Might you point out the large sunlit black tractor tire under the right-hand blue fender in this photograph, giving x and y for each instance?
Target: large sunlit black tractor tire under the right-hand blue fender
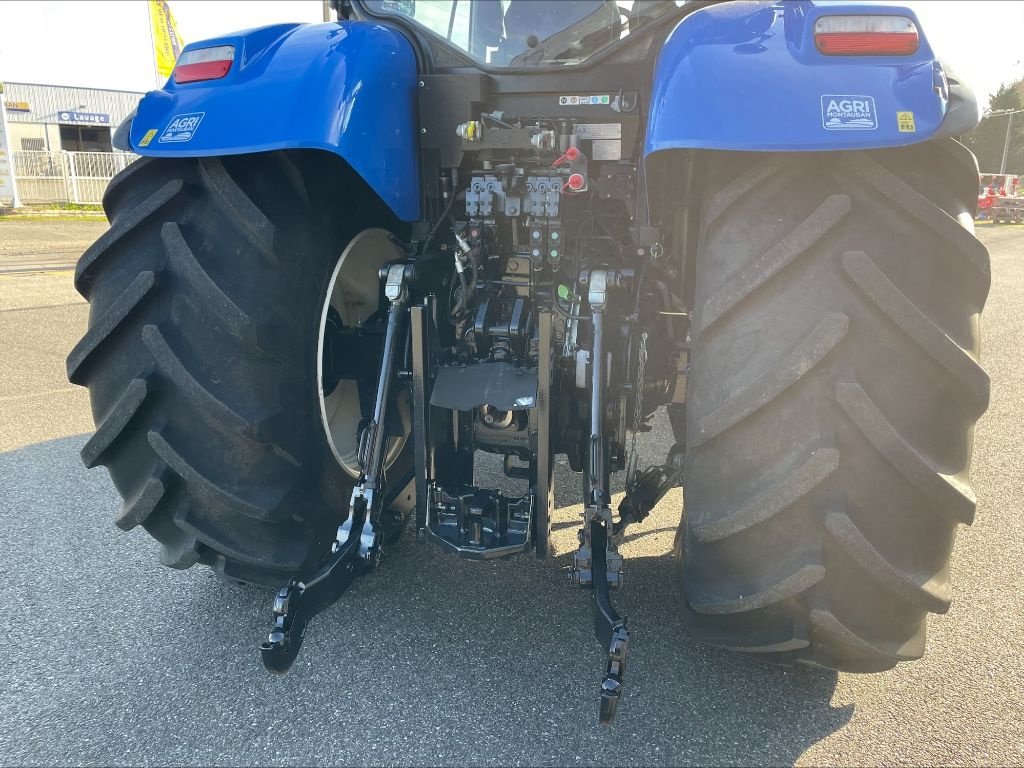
(833, 395)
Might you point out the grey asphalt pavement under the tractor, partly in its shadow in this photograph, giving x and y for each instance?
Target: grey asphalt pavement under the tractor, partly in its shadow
(114, 660)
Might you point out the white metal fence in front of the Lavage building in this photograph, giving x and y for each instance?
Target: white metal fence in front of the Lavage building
(66, 177)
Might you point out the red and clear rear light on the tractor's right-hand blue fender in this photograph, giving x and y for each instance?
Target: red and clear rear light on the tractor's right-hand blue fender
(867, 36)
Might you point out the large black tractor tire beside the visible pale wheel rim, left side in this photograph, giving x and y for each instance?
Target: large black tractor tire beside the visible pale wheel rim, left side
(201, 356)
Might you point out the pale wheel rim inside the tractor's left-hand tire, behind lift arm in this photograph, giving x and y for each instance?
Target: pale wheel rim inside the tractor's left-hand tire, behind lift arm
(354, 294)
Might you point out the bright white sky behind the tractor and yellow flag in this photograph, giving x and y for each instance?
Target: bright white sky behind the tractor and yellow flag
(106, 44)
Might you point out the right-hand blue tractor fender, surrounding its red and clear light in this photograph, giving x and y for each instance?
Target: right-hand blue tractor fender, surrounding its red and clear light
(748, 76)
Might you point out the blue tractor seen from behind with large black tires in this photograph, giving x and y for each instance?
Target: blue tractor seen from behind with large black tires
(358, 254)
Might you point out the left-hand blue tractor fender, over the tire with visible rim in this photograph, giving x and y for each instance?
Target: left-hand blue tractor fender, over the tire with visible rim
(349, 89)
